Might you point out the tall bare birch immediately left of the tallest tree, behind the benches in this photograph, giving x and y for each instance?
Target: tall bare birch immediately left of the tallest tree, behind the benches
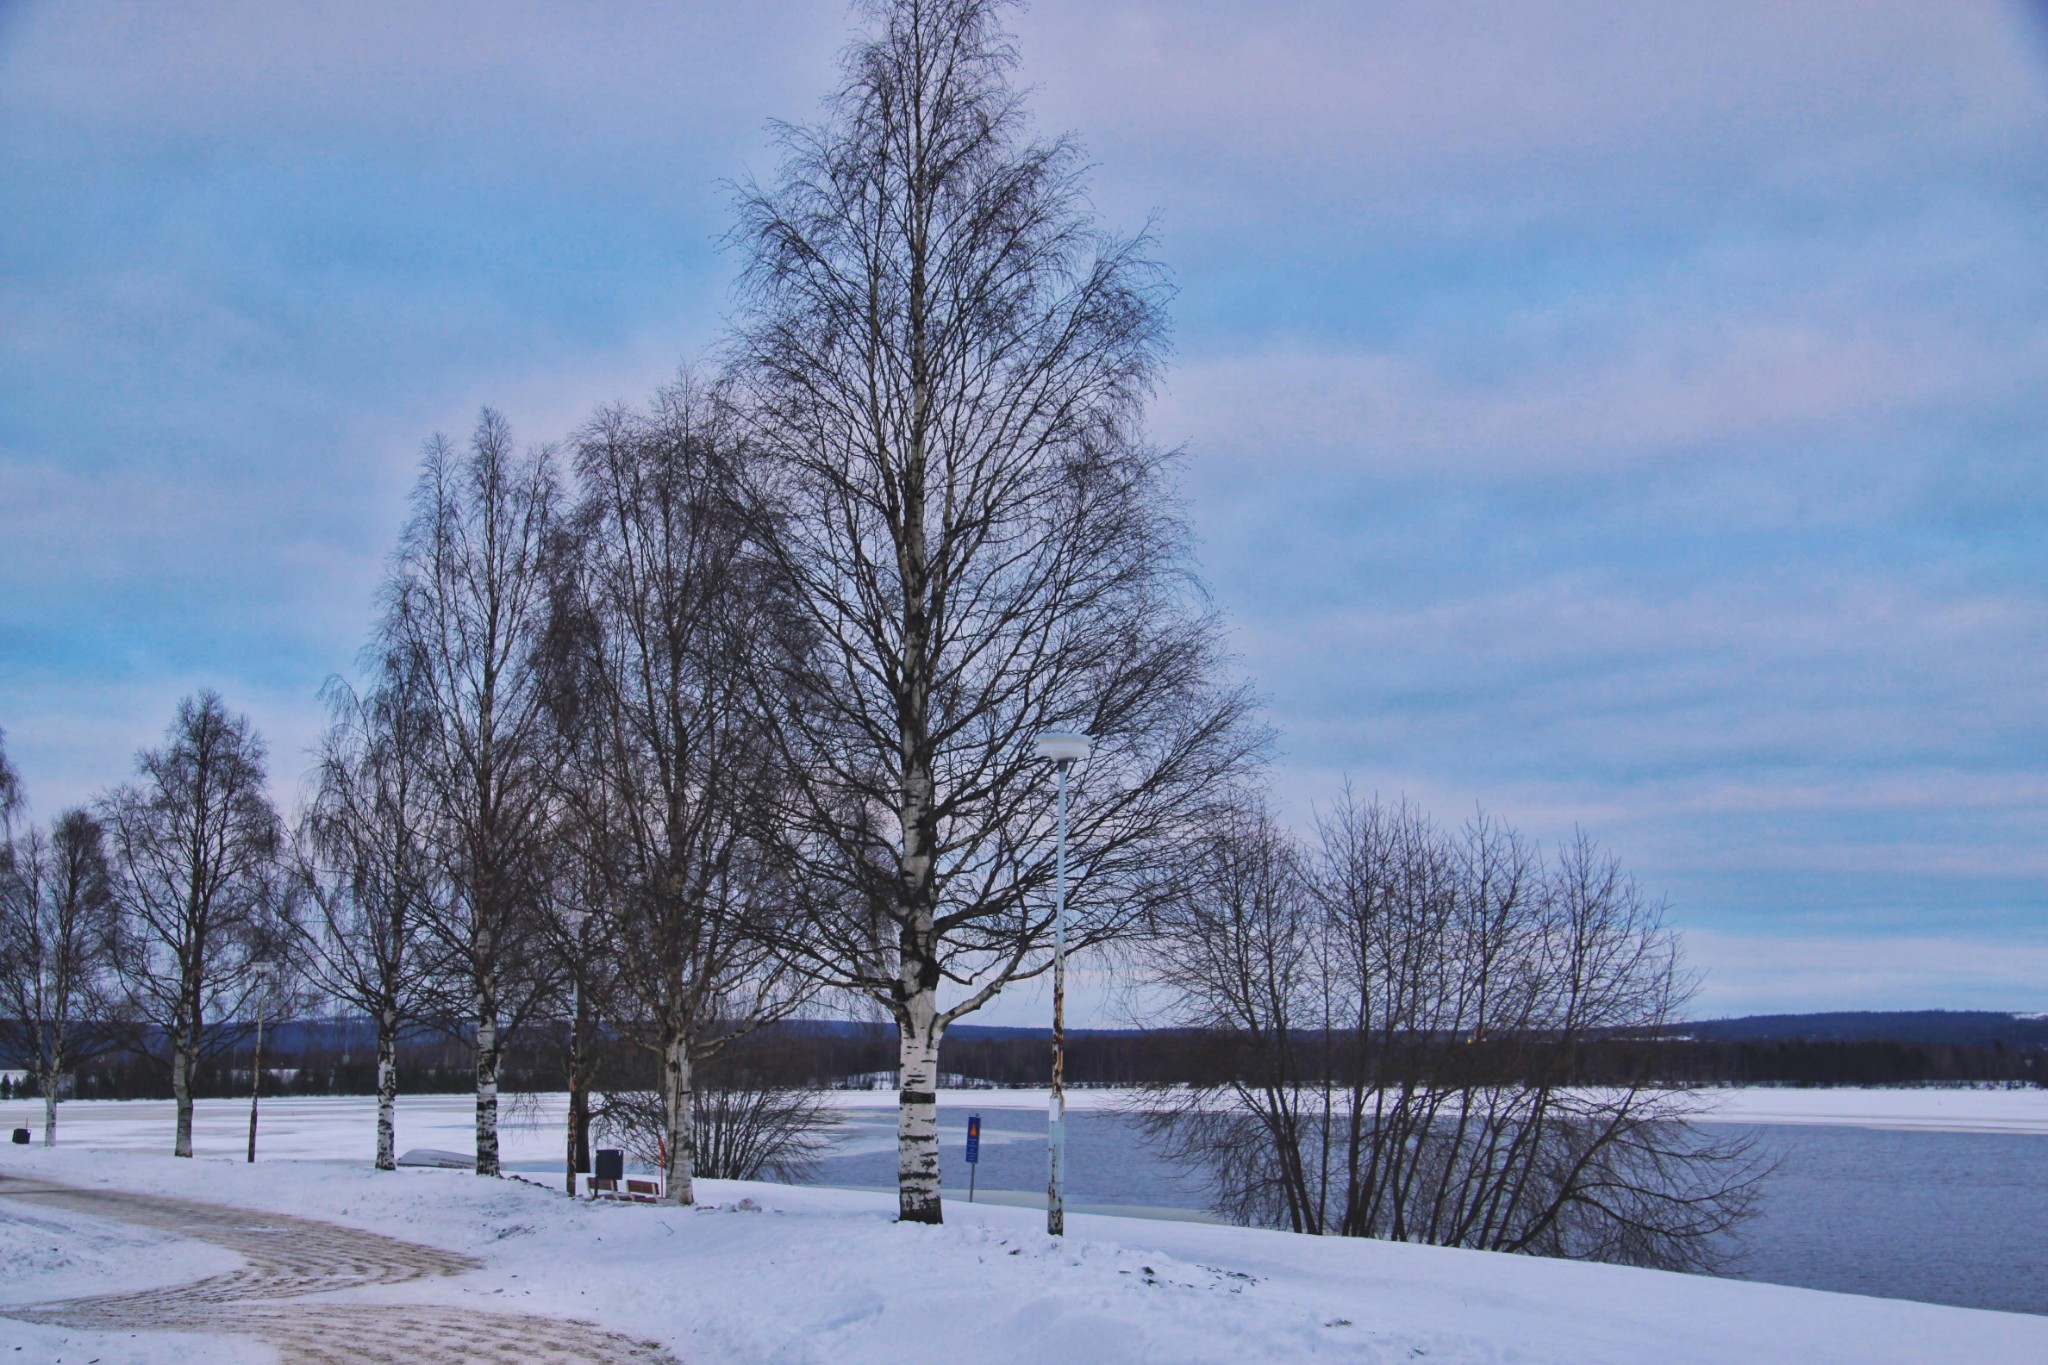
(675, 777)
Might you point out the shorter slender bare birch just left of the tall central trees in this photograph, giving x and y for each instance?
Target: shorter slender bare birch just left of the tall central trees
(366, 863)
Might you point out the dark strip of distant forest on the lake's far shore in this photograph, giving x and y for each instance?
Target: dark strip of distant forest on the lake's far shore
(1807, 1051)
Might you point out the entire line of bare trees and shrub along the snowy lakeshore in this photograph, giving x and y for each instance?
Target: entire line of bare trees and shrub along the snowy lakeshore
(722, 709)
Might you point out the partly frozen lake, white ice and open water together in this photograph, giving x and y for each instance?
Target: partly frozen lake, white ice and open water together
(1936, 1196)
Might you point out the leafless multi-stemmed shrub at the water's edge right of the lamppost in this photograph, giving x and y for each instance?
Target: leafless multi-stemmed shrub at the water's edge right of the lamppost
(1406, 1016)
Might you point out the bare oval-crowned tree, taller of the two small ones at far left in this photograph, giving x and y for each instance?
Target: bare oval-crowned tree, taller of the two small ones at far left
(196, 879)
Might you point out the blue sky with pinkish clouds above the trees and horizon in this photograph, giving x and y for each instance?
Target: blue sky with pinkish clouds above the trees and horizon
(1623, 419)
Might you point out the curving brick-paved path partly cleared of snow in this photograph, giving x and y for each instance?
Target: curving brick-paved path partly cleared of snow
(290, 1264)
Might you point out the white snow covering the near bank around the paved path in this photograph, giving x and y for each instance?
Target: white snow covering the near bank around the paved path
(828, 1276)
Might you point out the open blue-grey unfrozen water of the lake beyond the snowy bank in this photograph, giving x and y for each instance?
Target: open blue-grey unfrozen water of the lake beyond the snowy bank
(1949, 1219)
